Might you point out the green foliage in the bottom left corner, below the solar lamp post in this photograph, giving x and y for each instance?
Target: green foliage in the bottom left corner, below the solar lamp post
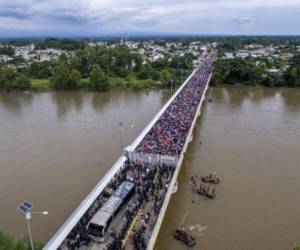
(8, 243)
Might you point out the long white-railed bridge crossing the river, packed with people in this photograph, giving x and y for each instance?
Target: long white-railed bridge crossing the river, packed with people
(152, 163)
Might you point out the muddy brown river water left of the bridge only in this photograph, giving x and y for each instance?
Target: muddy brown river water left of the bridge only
(54, 148)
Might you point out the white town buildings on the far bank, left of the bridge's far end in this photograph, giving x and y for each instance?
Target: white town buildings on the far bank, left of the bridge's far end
(152, 50)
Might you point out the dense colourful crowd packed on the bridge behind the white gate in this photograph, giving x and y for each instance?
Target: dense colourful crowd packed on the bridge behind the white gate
(169, 133)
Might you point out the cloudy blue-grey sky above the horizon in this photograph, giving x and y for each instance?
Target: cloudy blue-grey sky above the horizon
(107, 17)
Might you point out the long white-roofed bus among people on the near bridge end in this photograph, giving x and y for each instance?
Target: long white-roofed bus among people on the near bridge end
(100, 222)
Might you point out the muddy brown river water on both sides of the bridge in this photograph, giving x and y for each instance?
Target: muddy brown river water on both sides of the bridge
(54, 147)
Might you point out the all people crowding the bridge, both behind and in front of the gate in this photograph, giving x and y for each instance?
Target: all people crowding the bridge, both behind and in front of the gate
(167, 137)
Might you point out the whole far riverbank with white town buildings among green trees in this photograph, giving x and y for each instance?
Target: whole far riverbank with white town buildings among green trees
(143, 63)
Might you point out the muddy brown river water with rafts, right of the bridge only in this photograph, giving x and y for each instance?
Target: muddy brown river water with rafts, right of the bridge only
(251, 138)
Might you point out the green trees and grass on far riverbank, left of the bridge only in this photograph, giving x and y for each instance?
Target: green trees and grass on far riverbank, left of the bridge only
(96, 69)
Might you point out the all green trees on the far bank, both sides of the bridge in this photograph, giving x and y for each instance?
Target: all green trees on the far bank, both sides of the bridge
(103, 68)
